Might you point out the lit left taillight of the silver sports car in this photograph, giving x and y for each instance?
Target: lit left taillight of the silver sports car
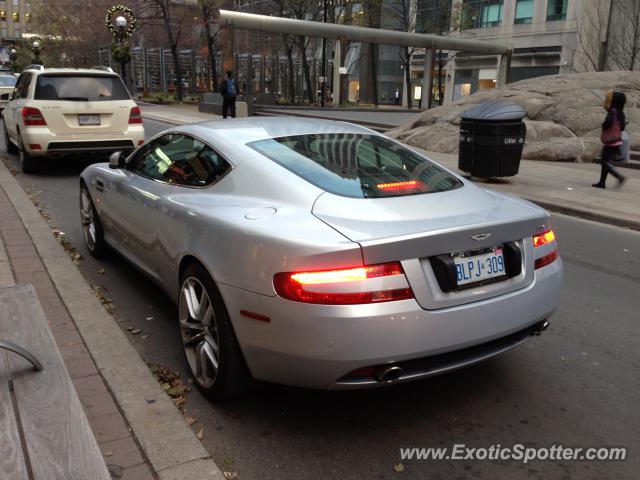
(345, 286)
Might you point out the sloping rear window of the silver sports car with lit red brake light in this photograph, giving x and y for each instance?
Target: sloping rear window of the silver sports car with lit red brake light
(354, 165)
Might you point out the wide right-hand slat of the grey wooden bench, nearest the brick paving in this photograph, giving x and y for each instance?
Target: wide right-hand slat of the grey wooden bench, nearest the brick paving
(59, 439)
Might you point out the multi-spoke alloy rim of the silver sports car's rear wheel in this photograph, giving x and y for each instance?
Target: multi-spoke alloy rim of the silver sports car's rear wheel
(199, 332)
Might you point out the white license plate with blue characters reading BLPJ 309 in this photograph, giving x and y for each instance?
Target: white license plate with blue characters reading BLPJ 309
(479, 266)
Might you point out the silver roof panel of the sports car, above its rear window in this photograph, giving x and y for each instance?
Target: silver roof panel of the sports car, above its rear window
(250, 129)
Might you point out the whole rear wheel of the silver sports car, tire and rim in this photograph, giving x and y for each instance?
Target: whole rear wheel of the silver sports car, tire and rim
(209, 339)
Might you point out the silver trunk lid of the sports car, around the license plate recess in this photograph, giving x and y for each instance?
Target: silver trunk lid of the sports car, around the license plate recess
(412, 229)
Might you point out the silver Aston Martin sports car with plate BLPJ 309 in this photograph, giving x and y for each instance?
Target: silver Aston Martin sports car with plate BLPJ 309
(322, 254)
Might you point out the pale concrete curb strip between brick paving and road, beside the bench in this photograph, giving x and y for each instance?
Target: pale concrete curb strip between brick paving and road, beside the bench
(170, 445)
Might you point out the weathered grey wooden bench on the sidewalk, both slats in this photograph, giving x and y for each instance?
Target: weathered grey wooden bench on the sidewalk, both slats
(44, 432)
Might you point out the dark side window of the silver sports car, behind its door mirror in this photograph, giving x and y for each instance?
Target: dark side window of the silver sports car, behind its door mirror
(179, 159)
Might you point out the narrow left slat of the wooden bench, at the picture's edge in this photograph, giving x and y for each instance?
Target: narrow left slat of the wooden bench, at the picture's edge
(12, 466)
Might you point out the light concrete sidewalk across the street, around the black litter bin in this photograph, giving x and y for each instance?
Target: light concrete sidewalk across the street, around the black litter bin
(559, 187)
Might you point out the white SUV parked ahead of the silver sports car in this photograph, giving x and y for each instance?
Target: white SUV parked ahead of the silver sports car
(62, 110)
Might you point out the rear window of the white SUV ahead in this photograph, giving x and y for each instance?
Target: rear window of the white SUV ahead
(92, 88)
